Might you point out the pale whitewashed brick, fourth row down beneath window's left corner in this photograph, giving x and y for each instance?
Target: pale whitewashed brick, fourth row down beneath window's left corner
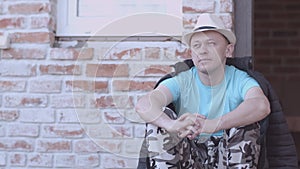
(67, 101)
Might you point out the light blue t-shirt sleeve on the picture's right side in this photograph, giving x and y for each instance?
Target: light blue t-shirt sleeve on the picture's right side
(247, 83)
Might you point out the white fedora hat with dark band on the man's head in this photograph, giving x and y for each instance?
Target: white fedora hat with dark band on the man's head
(210, 22)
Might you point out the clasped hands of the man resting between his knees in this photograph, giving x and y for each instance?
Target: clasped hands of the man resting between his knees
(191, 125)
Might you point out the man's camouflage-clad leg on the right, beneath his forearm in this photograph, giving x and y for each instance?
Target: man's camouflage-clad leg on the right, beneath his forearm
(240, 147)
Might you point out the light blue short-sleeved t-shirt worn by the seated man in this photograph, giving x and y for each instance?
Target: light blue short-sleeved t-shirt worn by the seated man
(192, 96)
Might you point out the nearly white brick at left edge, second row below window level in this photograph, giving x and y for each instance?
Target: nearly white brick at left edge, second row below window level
(24, 69)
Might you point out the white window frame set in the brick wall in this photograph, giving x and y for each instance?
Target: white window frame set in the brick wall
(141, 24)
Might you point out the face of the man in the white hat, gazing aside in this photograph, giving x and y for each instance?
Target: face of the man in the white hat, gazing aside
(209, 50)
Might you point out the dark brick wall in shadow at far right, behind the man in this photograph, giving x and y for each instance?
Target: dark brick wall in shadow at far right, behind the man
(276, 50)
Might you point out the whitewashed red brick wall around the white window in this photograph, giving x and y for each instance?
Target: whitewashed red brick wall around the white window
(72, 107)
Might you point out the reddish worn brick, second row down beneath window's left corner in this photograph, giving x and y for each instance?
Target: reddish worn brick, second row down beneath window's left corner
(54, 69)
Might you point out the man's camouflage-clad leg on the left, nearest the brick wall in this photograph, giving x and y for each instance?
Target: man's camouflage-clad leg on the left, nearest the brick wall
(167, 151)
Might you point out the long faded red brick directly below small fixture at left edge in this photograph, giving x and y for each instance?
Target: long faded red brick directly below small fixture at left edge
(23, 53)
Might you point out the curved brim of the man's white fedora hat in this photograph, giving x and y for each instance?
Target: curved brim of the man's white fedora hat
(227, 33)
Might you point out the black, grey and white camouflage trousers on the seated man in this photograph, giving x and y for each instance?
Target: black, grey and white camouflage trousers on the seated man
(237, 148)
